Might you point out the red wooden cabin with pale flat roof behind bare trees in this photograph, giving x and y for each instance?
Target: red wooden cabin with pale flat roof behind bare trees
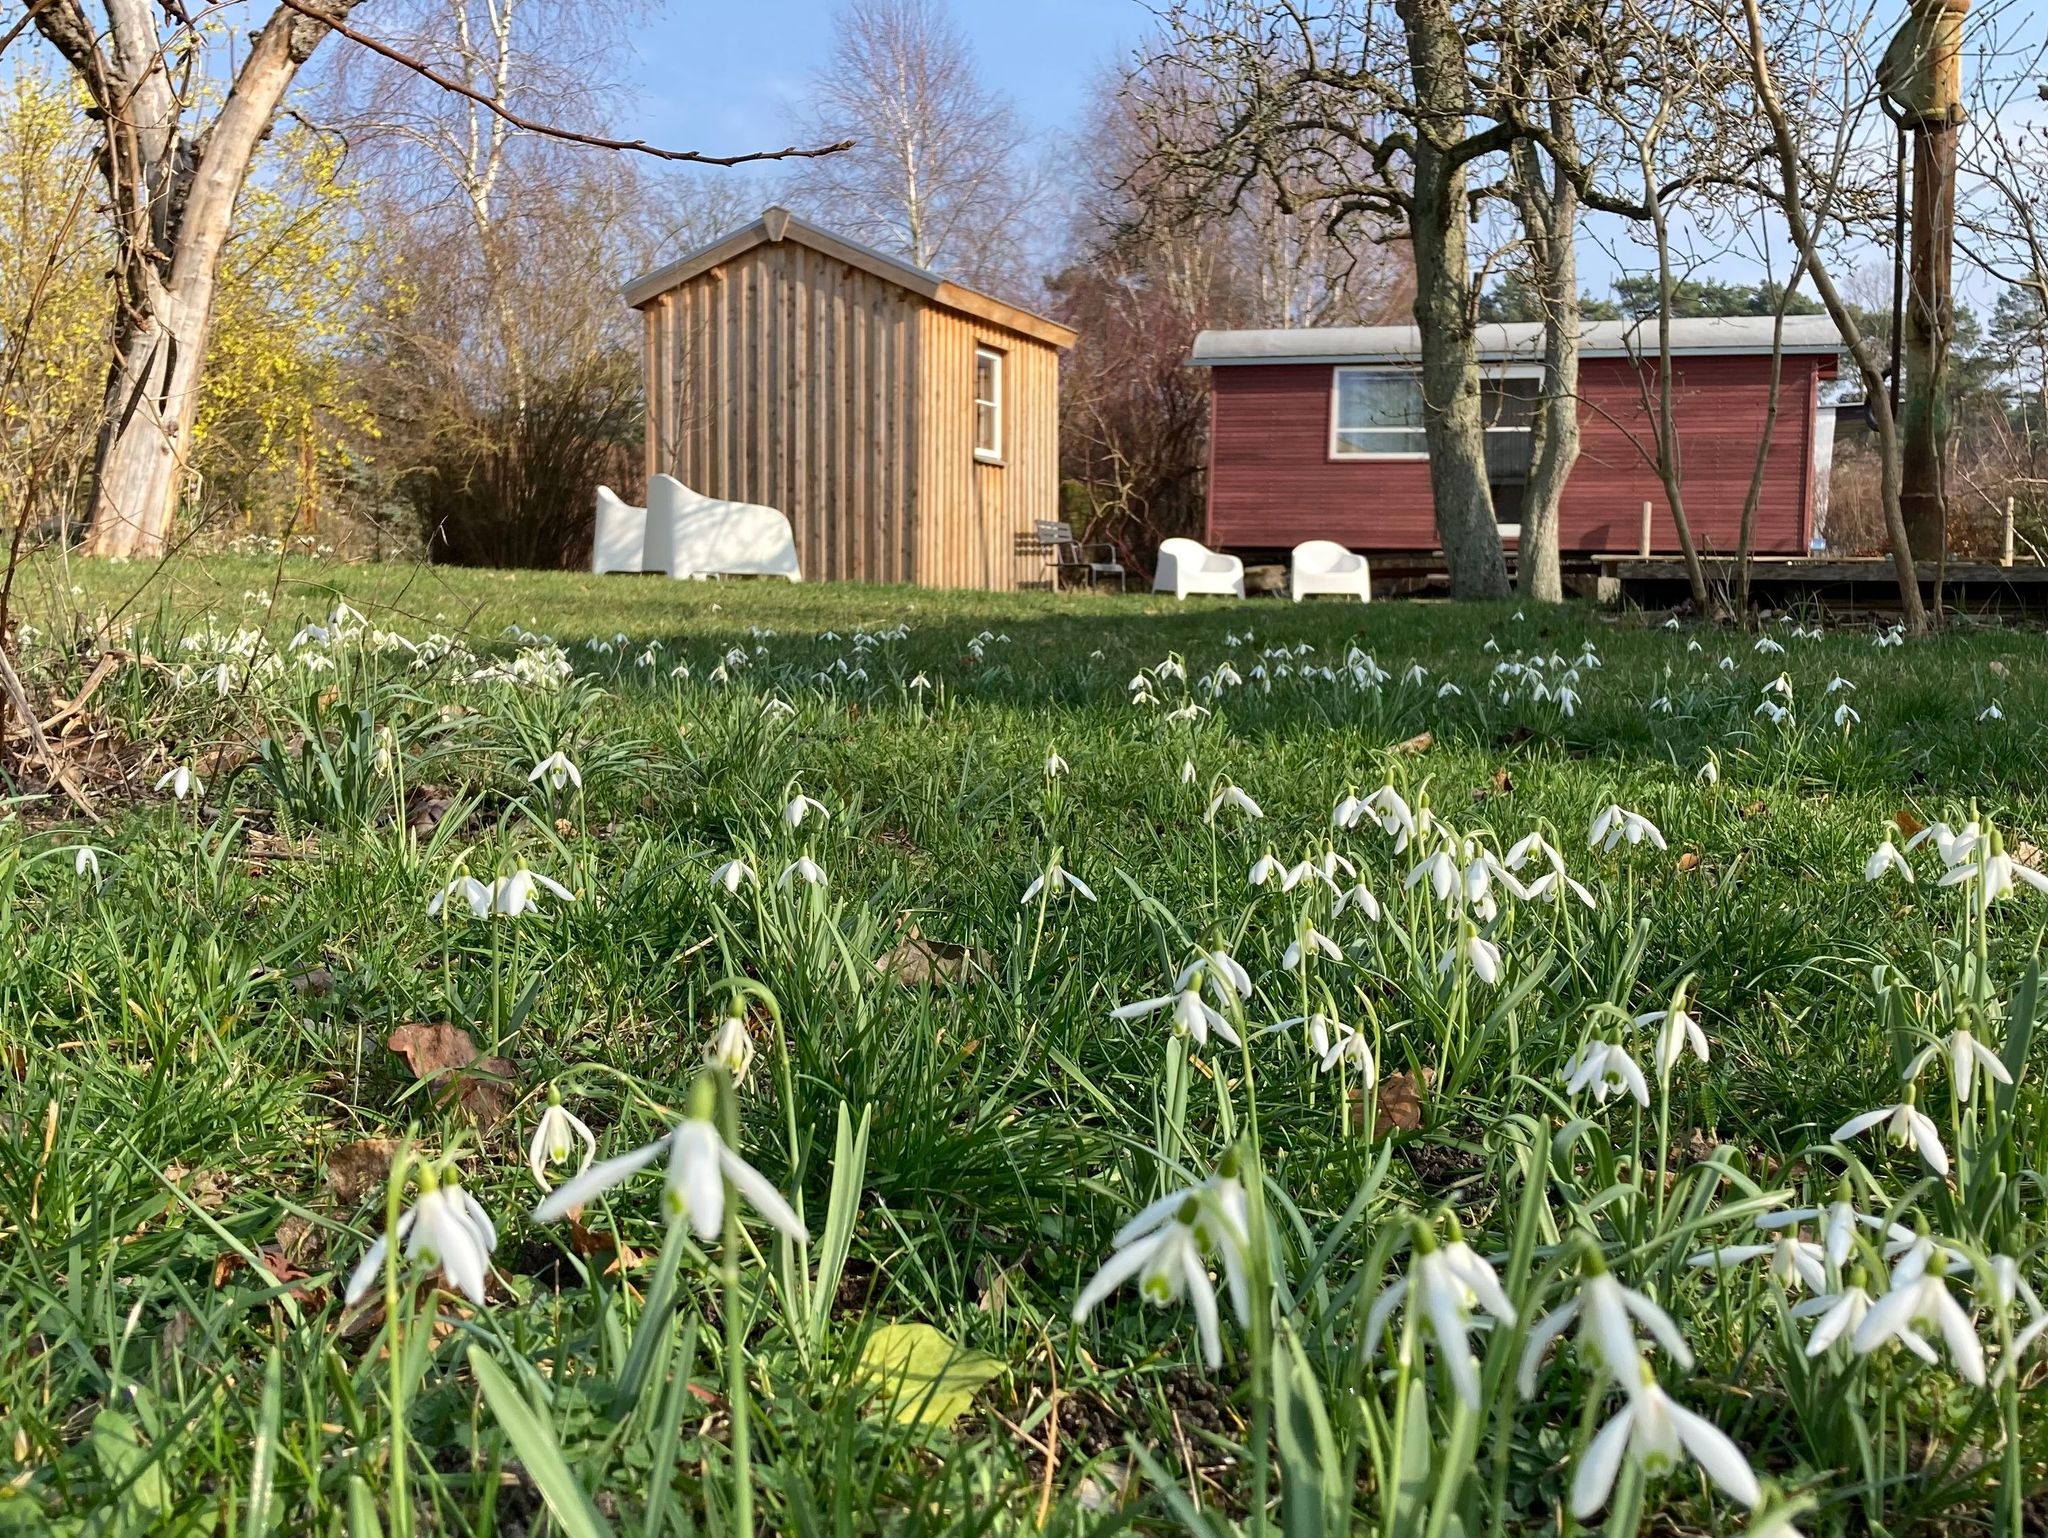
(1318, 435)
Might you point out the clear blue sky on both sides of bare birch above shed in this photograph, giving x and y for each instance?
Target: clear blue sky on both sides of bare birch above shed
(722, 77)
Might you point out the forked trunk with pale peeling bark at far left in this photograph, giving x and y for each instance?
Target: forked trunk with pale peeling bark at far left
(173, 204)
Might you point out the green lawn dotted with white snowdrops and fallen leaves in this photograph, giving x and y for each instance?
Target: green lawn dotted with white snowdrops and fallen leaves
(941, 931)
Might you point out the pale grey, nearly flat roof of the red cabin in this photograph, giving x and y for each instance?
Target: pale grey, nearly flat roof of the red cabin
(1519, 341)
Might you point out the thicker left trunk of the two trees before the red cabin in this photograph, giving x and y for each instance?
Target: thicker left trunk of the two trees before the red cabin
(1439, 222)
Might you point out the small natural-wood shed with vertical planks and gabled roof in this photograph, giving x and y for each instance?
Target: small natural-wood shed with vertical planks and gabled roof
(906, 425)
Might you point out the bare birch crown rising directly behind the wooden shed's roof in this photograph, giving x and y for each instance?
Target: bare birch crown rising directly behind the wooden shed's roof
(939, 171)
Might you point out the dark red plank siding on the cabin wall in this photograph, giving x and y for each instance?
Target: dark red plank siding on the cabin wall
(1273, 482)
